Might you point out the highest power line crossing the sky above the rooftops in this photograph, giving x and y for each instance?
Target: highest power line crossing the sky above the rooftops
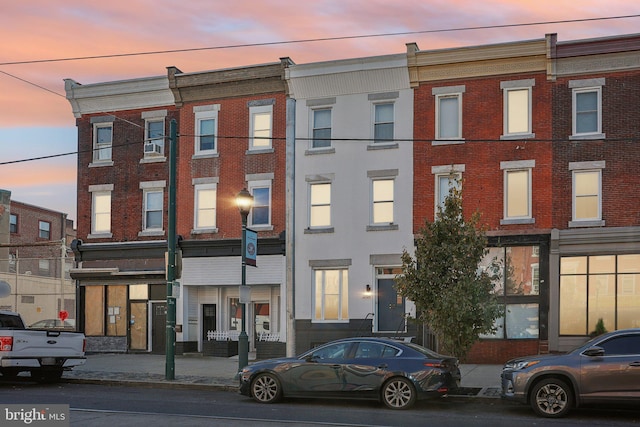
(323, 39)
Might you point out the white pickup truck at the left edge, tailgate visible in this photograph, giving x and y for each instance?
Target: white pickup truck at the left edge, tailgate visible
(43, 353)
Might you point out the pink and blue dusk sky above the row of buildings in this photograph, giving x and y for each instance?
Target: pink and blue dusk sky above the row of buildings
(36, 119)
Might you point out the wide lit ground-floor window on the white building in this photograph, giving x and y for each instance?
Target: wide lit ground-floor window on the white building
(331, 294)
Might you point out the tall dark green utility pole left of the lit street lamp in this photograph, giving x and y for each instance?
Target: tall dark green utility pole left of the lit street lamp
(170, 368)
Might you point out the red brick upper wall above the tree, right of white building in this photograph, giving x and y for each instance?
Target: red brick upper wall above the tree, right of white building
(482, 119)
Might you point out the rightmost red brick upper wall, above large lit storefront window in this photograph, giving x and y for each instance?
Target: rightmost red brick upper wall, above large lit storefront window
(620, 150)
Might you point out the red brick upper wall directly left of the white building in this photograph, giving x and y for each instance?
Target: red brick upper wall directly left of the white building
(231, 166)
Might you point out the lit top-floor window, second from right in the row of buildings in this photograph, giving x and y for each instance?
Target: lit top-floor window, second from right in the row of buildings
(517, 108)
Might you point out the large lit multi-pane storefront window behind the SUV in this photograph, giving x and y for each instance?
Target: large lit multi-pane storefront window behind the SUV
(597, 287)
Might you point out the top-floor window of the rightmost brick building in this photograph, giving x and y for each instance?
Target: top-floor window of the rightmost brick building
(587, 108)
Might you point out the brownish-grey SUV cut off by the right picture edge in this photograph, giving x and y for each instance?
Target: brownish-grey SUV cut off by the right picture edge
(603, 370)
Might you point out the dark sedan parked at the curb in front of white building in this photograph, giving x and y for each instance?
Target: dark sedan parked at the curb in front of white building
(397, 373)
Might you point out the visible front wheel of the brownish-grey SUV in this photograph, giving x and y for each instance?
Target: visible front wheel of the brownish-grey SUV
(551, 398)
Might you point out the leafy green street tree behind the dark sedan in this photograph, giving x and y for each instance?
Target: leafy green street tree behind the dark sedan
(454, 295)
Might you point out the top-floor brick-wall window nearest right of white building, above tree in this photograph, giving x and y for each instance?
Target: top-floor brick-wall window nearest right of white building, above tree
(448, 112)
